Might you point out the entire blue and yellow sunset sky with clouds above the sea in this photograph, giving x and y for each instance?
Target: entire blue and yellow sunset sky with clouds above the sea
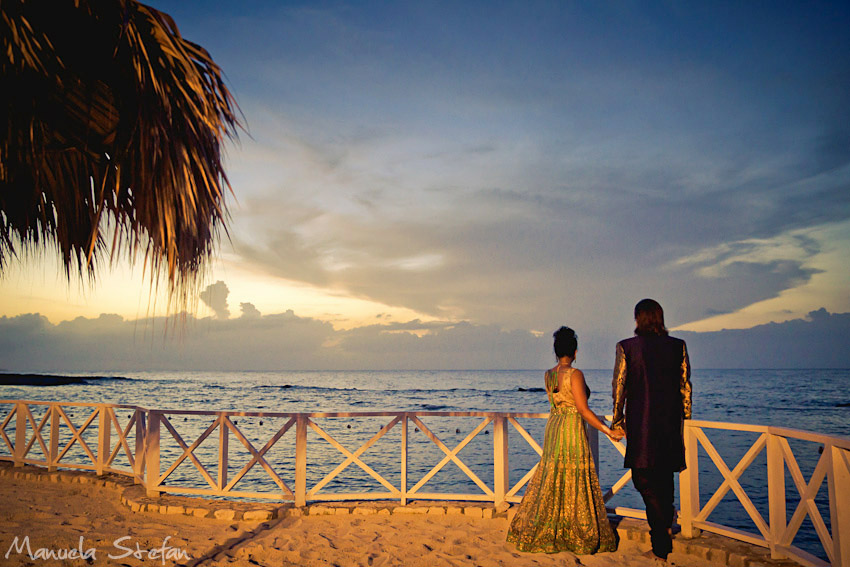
(444, 184)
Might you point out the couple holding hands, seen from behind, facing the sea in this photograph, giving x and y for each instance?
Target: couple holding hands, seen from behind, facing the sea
(562, 509)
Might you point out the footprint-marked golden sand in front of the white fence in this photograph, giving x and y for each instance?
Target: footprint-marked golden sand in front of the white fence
(55, 511)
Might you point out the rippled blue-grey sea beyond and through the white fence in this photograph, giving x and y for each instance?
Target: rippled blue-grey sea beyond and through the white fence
(812, 400)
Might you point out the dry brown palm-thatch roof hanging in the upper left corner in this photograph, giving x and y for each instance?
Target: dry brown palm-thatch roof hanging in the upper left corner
(111, 133)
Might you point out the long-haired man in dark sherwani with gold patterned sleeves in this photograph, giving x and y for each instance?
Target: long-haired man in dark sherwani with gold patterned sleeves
(652, 384)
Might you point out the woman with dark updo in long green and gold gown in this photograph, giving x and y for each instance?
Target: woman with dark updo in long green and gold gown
(562, 509)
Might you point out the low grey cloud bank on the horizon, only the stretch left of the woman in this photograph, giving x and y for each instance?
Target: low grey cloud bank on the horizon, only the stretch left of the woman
(256, 342)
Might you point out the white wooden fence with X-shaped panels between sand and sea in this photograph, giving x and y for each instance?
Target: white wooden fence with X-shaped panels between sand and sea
(52, 432)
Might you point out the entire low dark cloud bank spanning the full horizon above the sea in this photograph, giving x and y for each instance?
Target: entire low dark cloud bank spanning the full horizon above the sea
(286, 341)
